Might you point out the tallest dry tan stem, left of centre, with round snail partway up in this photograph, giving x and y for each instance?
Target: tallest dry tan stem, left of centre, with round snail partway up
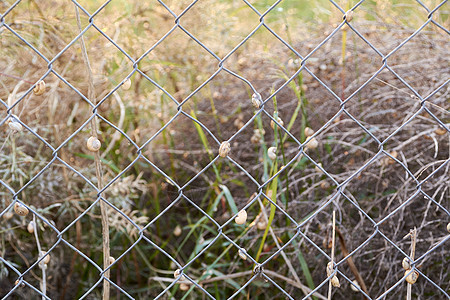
(98, 168)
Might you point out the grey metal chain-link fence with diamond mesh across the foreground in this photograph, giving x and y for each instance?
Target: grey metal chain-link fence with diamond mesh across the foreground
(258, 271)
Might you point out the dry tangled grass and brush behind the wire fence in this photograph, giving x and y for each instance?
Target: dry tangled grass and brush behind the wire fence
(223, 105)
